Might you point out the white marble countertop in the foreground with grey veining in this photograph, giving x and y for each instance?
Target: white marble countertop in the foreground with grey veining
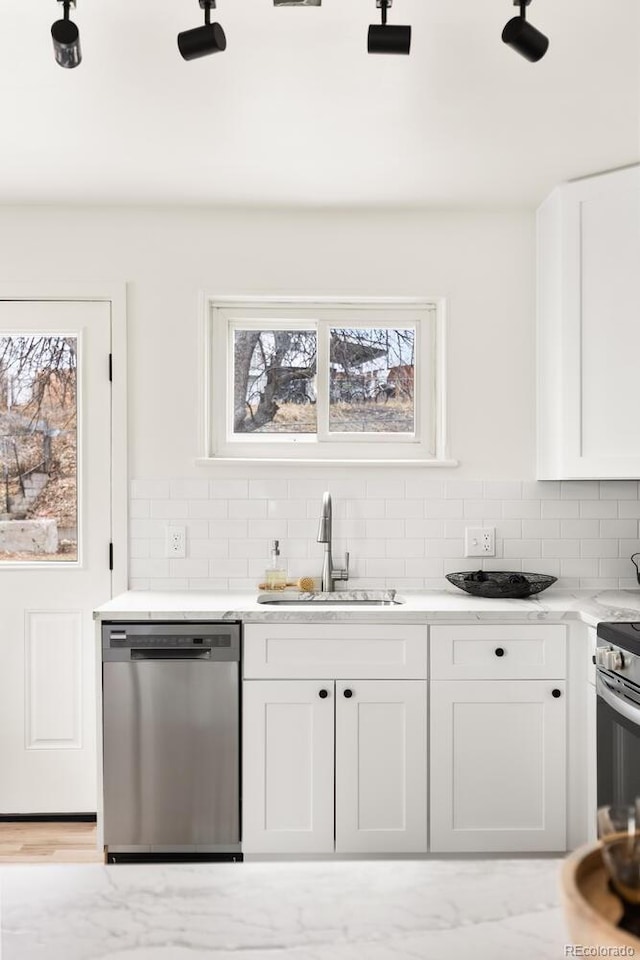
(354, 910)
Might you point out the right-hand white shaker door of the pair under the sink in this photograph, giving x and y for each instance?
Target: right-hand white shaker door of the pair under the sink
(381, 766)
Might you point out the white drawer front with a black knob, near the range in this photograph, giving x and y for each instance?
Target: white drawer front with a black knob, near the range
(516, 652)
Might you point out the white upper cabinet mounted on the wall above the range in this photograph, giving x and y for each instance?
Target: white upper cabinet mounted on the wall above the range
(588, 348)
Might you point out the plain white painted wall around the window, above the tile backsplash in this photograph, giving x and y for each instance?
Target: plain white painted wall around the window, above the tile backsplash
(483, 263)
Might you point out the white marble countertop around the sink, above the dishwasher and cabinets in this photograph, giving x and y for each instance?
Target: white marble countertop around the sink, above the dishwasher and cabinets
(419, 607)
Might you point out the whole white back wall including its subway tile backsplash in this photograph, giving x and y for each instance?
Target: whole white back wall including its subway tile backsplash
(404, 527)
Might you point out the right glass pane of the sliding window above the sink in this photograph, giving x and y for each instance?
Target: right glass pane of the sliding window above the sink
(371, 381)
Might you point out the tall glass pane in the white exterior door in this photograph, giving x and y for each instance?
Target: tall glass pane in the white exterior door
(38, 449)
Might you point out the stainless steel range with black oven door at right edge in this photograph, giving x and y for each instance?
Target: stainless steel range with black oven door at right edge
(618, 724)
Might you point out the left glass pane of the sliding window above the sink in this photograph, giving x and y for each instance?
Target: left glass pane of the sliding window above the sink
(274, 382)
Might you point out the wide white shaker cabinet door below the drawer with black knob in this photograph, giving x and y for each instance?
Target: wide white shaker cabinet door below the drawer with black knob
(498, 766)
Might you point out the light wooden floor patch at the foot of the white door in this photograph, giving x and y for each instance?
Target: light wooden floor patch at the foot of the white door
(22, 842)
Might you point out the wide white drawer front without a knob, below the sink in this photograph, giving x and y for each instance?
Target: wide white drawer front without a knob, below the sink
(318, 650)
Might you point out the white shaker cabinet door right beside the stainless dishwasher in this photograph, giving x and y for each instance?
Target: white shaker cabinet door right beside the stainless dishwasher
(287, 766)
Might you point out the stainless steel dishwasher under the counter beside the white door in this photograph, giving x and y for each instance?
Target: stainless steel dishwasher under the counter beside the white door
(171, 741)
